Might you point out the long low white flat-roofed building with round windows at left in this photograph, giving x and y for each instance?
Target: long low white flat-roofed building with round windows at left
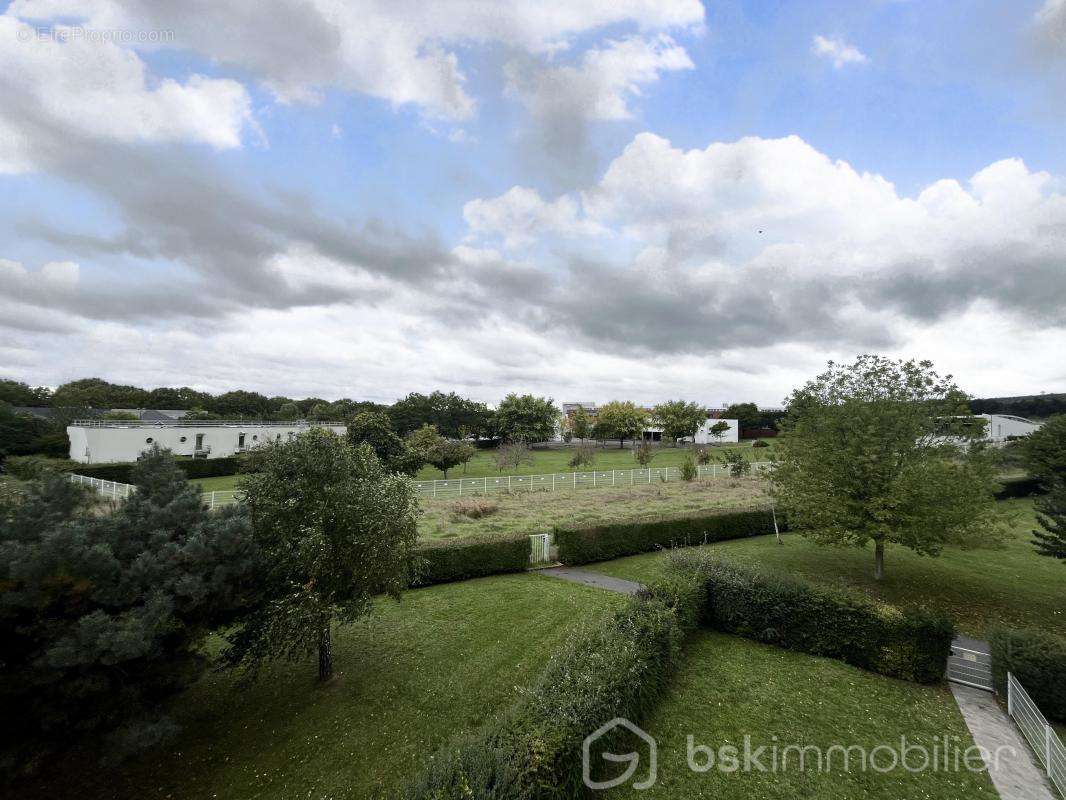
(104, 441)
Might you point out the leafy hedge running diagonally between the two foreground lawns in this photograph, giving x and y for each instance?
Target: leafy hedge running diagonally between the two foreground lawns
(617, 668)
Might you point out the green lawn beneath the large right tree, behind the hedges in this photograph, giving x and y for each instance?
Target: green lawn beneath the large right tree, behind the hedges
(1012, 586)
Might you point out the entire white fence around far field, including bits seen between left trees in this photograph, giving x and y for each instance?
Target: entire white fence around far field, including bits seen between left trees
(481, 487)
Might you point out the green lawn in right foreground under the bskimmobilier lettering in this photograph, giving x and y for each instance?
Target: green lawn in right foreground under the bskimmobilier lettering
(730, 689)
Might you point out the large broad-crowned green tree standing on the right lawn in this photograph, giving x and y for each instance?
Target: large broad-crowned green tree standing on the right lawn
(862, 461)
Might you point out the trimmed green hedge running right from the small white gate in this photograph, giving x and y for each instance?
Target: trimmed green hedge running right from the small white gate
(583, 546)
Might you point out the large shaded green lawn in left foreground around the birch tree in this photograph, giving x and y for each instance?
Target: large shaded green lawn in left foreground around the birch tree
(440, 663)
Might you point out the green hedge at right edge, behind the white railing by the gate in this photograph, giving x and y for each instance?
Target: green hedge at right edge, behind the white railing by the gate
(1039, 661)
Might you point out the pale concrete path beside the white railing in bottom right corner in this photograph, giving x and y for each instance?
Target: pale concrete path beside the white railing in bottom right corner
(1014, 774)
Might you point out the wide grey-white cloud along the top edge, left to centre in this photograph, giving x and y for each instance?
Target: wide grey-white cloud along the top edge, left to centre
(399, 53)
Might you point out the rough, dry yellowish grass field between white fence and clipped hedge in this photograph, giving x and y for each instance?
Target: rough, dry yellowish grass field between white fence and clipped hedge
(539, 511)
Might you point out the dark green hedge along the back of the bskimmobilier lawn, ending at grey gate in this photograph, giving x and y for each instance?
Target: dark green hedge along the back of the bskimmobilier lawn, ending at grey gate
(913, 645)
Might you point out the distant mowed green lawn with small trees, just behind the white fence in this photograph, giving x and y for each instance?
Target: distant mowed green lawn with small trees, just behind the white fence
(550, 461)
